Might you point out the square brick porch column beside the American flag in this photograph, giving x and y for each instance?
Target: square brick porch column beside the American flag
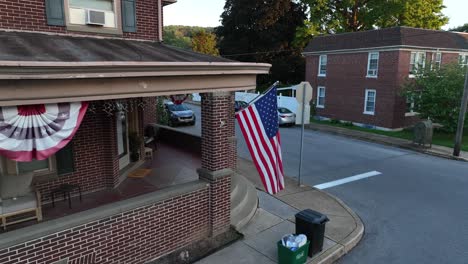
(218, 155)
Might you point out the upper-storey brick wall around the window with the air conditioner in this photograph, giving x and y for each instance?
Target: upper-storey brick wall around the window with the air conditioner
(30, 15)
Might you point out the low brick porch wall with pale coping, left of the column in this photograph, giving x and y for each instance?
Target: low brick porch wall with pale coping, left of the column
(135, 236)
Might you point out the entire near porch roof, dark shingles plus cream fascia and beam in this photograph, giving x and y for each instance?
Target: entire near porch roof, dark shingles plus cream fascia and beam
(37, 68)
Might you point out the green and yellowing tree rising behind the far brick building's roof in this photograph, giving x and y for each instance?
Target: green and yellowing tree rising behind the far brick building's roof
(336, 16)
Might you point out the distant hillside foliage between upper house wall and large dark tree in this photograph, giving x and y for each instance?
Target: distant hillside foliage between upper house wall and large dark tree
(181, 36)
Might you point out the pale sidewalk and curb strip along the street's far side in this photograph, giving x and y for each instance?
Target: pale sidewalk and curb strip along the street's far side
(379, 139)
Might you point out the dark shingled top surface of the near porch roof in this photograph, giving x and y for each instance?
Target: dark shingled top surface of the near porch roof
(25, 46)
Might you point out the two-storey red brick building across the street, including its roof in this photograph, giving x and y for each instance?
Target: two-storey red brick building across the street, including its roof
(357, 76)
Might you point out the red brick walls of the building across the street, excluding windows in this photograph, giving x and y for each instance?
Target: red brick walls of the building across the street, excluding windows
(346, 83)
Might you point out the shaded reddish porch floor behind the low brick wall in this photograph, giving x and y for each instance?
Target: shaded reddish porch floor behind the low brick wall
(170, 166)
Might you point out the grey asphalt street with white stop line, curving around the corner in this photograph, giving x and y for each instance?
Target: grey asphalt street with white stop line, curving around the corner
(415, 211)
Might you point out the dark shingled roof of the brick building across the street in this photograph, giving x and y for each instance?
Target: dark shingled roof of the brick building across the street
(396, 36)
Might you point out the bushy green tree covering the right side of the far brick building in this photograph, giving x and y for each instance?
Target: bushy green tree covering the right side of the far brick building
(436, 94)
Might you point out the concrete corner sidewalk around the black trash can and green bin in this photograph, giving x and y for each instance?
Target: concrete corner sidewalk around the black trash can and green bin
(275, 218)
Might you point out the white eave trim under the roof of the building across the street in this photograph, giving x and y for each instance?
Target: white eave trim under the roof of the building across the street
(384, 48)
